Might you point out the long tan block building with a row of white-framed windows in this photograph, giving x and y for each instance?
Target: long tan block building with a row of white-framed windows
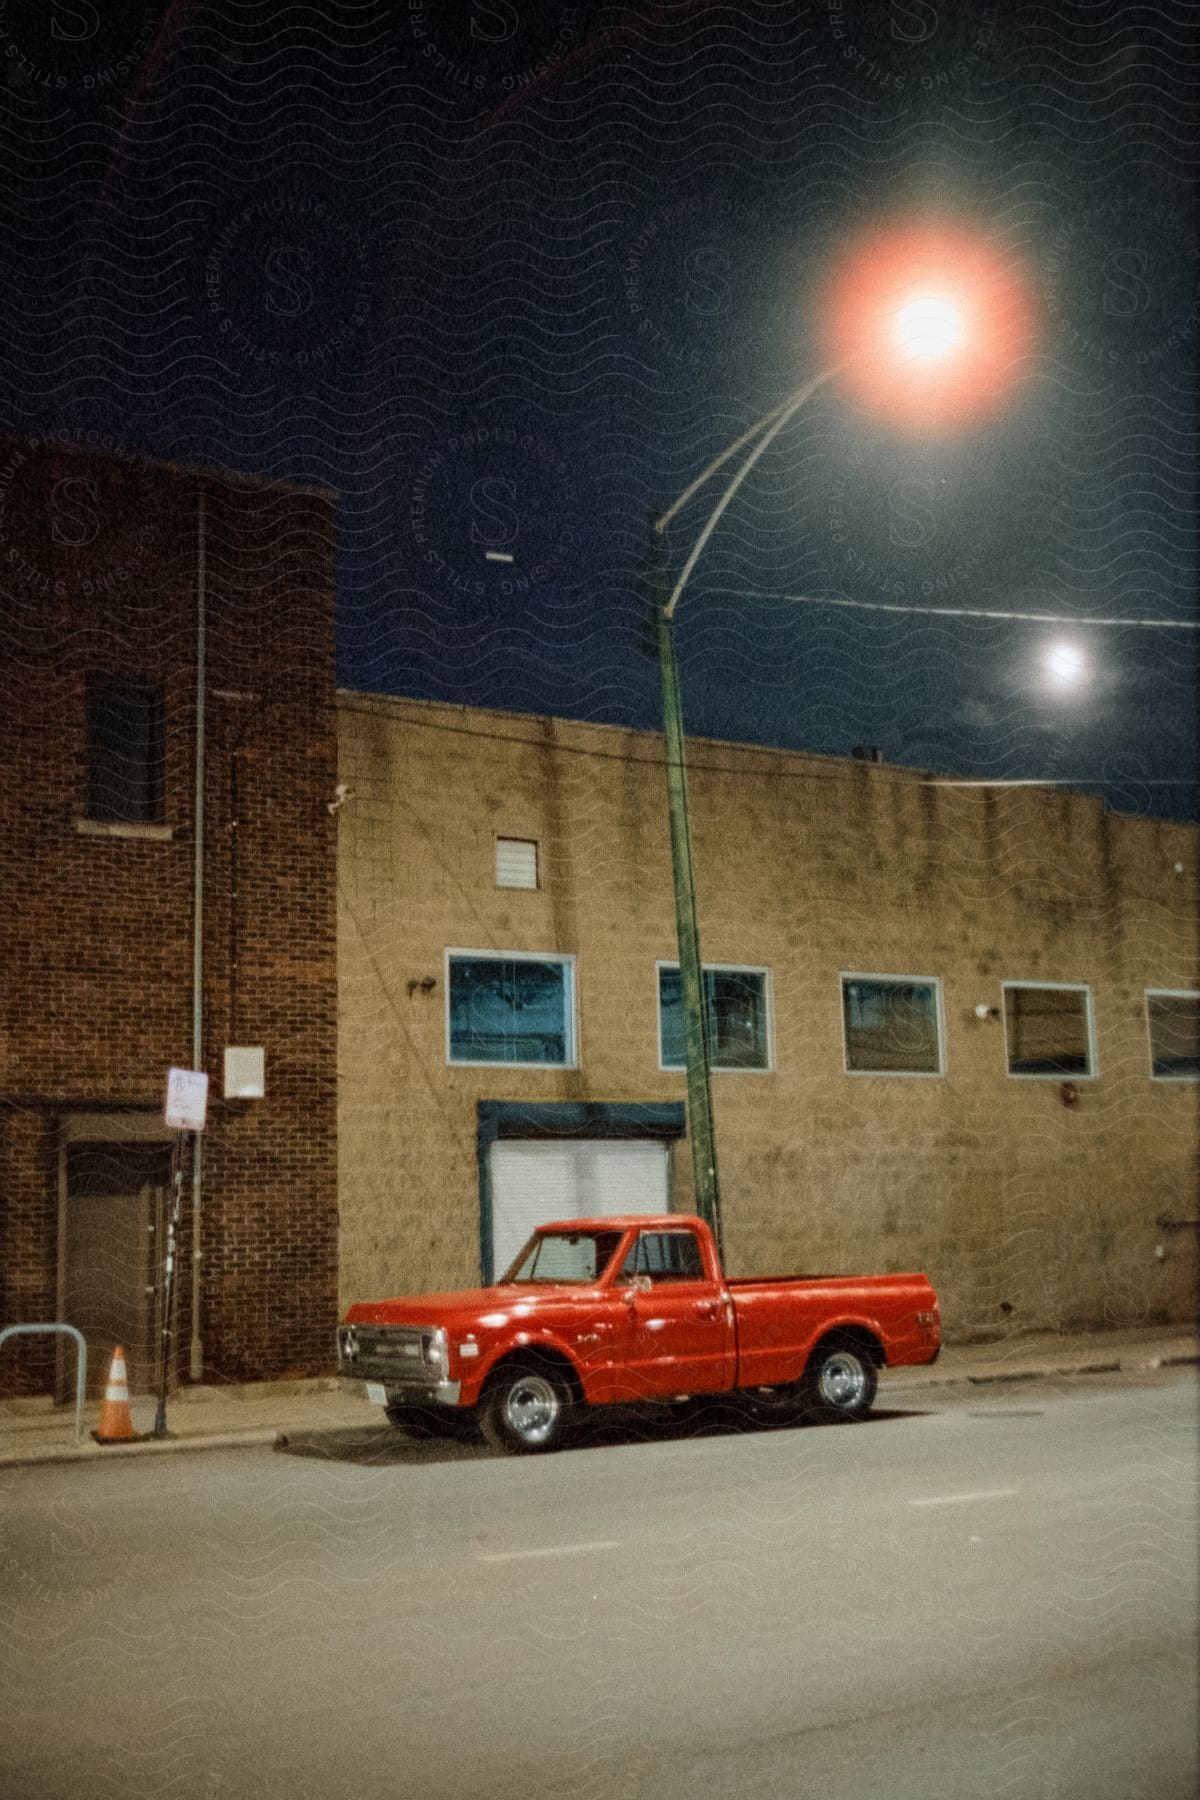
(956, 1027)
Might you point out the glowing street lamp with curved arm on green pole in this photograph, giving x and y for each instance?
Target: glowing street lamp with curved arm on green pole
(911, 307)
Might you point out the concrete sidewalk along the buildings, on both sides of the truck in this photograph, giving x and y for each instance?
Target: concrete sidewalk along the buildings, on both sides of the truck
(33, 1432)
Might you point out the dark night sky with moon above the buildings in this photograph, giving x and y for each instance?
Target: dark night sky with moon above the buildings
(508, 274)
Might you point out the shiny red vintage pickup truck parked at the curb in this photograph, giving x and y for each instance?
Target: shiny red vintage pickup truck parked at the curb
(614, 1311)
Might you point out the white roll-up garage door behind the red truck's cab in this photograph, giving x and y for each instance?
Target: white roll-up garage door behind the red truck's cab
(569, 1178)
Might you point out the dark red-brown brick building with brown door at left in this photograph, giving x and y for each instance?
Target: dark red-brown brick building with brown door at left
(156, 618)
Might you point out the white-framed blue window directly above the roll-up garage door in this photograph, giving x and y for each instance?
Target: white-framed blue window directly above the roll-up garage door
(512, 1009)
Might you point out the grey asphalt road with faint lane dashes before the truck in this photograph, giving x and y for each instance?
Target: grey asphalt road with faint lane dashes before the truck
(985, 1592)
